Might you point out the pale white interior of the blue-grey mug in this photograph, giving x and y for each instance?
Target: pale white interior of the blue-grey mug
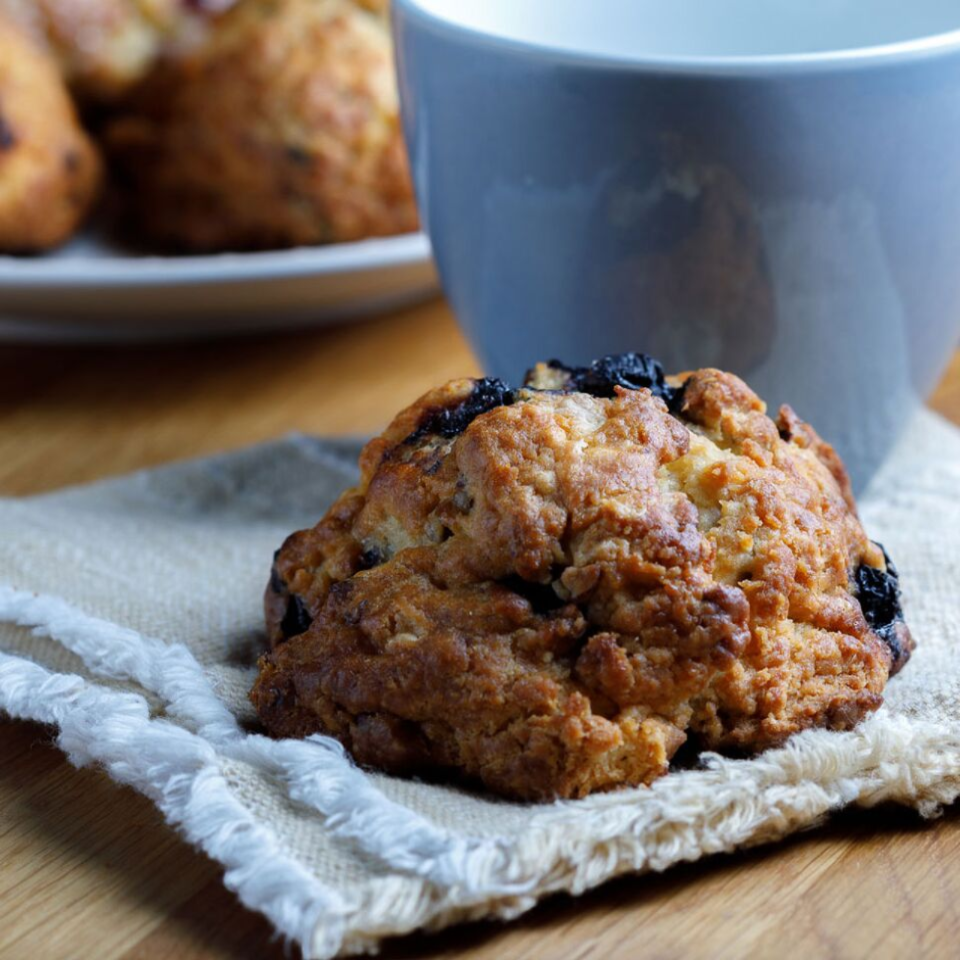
(706, 29)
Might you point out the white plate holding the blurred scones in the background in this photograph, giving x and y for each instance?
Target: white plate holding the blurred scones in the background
(93, 291)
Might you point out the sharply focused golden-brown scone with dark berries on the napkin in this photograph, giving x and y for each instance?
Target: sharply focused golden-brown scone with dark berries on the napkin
(548, 590)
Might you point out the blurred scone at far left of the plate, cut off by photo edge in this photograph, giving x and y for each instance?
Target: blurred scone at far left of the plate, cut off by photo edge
(50, 171)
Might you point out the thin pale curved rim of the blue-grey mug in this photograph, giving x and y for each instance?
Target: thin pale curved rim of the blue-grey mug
(877, 55)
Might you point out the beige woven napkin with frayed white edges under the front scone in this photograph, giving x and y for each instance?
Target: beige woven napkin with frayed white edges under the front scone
(137, 611)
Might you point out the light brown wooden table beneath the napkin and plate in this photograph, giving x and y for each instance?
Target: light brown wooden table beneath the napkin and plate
(87, 868)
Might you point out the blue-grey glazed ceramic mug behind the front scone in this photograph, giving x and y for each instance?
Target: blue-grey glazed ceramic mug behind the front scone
(766, 186)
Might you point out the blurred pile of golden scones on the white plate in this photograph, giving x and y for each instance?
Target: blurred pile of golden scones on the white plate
(273, 123)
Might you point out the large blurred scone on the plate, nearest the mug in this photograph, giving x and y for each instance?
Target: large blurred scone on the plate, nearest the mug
(281, 130)
